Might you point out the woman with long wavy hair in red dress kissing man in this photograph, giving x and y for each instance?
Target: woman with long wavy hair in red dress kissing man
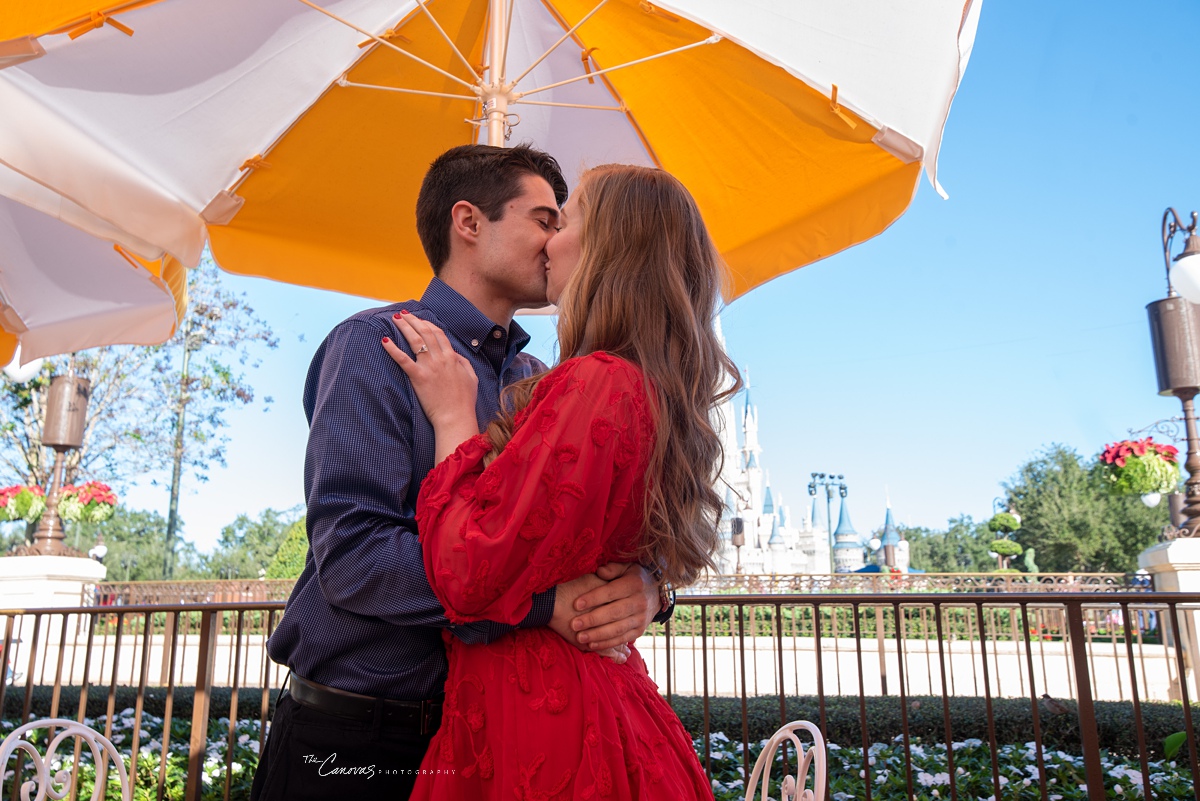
(611, 456)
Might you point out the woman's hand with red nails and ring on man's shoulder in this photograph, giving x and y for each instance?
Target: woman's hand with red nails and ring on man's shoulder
(445, 382)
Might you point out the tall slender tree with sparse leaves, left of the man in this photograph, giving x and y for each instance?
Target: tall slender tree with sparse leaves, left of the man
(197, 380)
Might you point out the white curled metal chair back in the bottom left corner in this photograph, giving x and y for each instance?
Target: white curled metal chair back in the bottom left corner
(103, 752)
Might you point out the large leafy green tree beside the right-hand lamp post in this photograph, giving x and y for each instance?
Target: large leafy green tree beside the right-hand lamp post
(1073, 521)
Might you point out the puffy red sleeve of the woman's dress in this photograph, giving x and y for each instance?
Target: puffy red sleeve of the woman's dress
(562, 498)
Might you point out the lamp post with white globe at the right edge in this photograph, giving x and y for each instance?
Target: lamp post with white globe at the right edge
(1175, 335)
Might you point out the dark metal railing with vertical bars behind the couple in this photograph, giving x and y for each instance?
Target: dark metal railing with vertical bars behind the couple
(1075, 651)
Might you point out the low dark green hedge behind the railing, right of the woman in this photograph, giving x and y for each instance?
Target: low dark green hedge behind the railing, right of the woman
(969, 719)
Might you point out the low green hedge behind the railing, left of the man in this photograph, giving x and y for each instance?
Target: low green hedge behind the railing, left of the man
(250, 702)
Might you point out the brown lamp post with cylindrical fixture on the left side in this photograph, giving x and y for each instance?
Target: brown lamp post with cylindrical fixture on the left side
(67, 414)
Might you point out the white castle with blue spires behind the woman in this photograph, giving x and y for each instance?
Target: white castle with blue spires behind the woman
(759, 533)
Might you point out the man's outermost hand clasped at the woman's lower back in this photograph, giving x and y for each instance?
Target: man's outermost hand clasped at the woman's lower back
(620, 610)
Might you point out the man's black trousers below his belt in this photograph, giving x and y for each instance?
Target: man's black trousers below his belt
(311, 755)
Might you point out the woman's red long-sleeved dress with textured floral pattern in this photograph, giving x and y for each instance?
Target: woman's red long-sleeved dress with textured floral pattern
(529, 716)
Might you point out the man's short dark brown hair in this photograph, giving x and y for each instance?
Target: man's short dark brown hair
(488, 178)
